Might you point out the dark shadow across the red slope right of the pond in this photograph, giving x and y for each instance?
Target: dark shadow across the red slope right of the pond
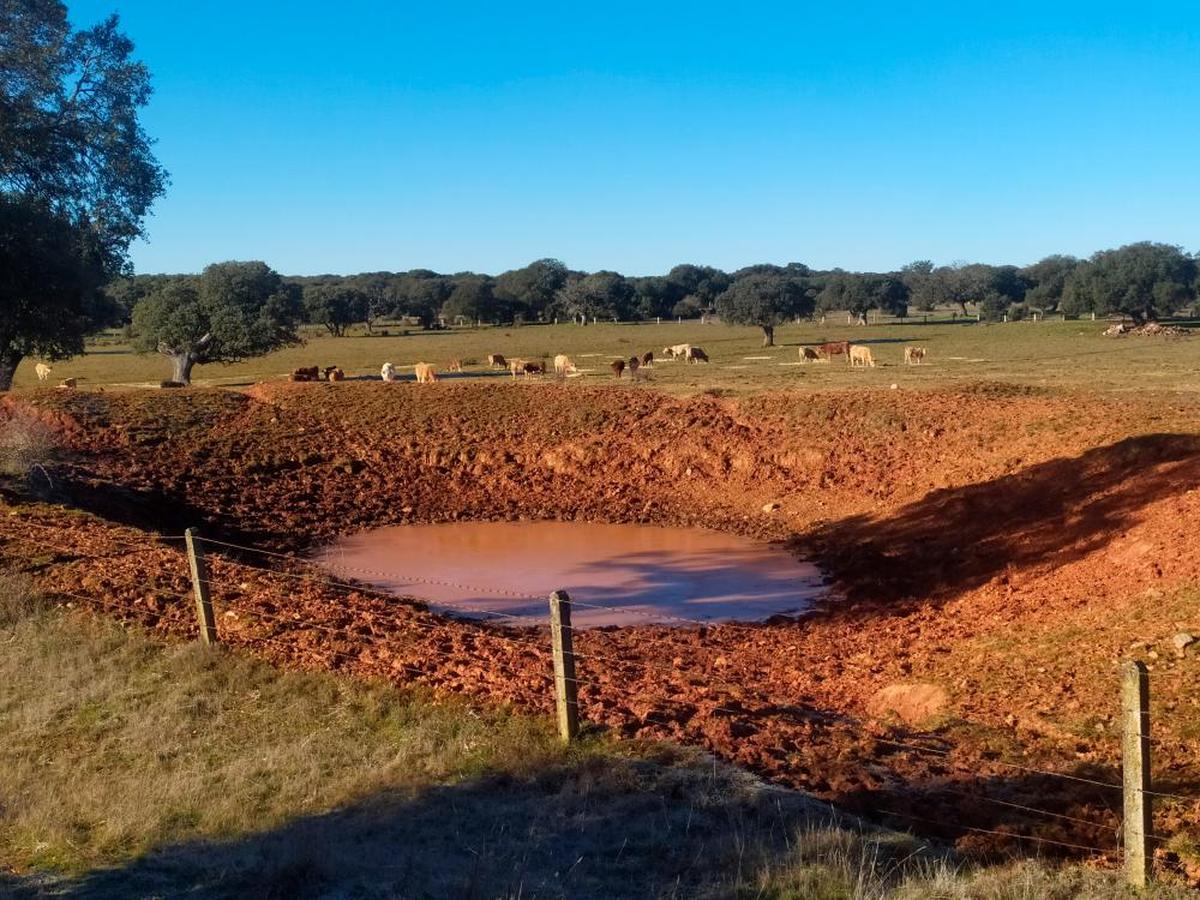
(1051, 514)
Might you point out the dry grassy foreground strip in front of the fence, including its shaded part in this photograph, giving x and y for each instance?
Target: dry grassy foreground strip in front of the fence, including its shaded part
(130, 769)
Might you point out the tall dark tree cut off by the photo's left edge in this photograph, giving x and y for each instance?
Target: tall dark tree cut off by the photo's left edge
(77, 176)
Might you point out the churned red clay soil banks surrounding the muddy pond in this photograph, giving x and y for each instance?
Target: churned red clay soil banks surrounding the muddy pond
(997, 554)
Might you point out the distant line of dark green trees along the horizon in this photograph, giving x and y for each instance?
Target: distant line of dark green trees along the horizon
(1143, 281)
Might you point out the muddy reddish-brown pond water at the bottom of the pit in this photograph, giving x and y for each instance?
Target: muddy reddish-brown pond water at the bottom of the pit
(646, 573)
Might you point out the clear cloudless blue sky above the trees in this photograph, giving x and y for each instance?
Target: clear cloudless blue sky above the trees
(350, 137)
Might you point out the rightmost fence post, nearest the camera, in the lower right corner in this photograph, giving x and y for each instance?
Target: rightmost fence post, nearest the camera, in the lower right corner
(1136, 769)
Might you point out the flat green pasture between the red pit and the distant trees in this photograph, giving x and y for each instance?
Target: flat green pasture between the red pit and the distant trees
(1071, 355)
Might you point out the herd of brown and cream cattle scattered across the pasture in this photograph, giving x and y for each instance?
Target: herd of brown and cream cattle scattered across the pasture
(637, 367)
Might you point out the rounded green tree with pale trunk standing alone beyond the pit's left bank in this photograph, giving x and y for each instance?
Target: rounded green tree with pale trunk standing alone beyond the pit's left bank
(231, 313)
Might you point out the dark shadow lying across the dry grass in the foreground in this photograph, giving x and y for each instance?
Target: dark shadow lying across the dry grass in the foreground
(595, 830)
